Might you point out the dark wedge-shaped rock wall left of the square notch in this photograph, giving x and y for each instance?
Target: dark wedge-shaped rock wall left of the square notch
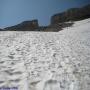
(26, 25)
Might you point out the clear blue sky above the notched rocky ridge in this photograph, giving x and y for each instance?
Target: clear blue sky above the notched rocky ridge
(13, 12)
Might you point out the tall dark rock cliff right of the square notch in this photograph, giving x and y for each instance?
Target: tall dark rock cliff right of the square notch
(72, 14)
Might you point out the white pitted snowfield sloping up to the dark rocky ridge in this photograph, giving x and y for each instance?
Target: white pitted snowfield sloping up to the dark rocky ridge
(46, 60)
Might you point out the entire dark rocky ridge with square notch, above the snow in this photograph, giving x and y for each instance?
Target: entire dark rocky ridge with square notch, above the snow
(58, 21)
